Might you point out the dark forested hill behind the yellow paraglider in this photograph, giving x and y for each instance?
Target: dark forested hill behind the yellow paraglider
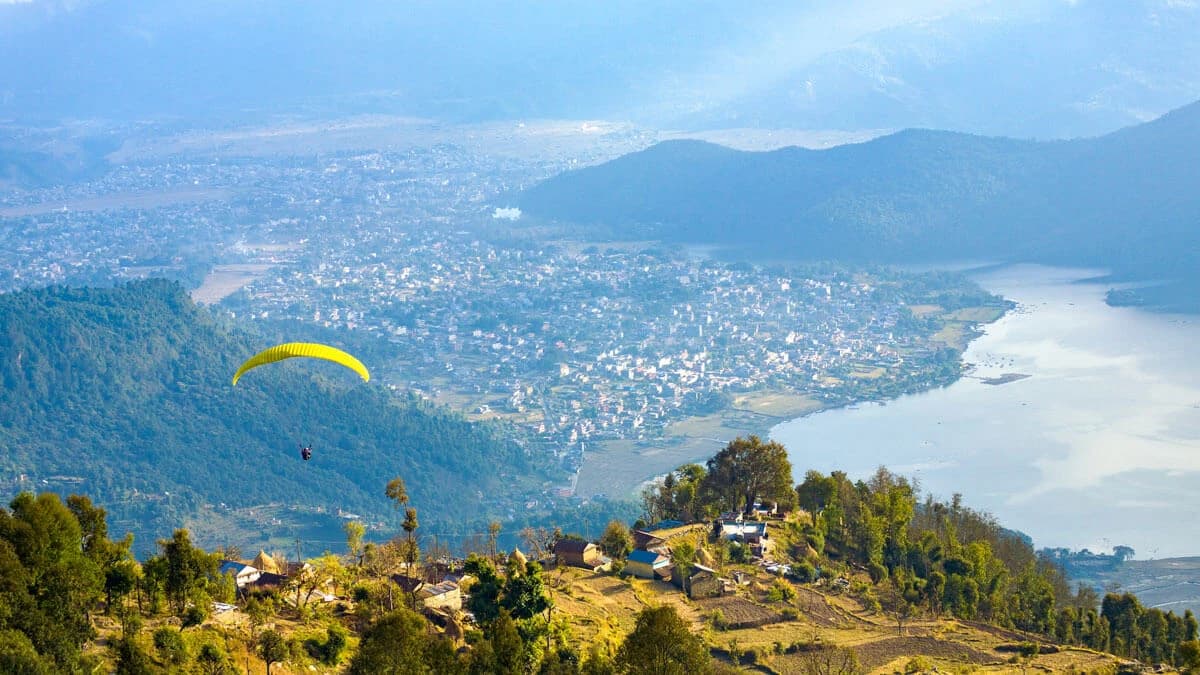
(124, 395)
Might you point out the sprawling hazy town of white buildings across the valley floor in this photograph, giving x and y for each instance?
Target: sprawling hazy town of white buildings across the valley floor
(578, 345)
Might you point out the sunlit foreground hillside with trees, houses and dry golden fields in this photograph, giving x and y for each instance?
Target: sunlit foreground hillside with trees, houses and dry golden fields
(866, 577)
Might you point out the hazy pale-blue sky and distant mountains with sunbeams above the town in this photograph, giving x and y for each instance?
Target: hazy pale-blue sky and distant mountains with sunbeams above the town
(1034, 68)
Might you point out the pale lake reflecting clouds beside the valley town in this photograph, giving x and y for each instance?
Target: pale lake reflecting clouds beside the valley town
(1100, 446)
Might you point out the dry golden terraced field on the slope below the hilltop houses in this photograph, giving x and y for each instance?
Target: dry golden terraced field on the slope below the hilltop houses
(603, 608)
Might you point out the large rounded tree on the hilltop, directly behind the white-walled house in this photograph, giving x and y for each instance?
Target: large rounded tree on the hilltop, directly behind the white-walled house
(749, 470)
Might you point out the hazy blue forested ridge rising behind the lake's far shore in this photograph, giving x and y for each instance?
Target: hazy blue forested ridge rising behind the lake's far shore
(1130, 200)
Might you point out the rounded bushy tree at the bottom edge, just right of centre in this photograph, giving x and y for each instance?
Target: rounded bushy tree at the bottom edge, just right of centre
(661, 644)
